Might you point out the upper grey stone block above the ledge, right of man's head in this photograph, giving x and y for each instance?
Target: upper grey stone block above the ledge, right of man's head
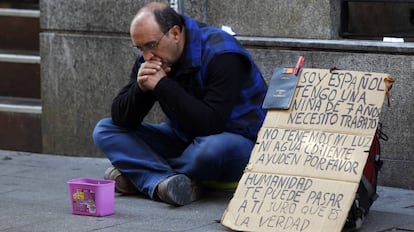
(317, 19)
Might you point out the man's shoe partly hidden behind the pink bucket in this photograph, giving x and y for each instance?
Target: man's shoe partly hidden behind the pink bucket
(122, 183)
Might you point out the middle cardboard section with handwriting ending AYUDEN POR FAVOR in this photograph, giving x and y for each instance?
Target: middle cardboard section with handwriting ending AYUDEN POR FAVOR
(314, 153)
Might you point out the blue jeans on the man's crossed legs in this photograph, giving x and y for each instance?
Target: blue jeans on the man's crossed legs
(154, 152)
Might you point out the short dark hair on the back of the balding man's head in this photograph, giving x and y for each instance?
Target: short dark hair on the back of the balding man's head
(167, 18)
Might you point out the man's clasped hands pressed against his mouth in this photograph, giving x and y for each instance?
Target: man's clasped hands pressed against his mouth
(150, 73)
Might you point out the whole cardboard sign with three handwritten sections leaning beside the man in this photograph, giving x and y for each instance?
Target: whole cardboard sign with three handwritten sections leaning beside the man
(306, 166)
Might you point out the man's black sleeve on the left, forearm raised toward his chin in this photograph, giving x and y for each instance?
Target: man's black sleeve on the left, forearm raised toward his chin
(131, 104)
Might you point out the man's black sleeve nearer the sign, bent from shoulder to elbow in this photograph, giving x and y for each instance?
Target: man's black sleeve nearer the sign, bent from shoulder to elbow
(209, 113)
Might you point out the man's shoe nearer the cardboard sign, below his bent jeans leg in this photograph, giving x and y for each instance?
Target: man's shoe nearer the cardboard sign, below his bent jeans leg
(178, 190)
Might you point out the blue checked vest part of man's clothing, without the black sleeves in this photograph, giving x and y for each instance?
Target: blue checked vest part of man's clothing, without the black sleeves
(206, 42)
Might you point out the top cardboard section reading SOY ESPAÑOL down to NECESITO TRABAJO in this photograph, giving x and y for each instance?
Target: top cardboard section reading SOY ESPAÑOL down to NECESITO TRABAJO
(341, 101)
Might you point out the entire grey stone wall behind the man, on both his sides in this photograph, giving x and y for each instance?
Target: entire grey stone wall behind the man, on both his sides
(86, 57)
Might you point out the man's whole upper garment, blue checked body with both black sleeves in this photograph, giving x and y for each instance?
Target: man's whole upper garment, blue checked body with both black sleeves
(182, 94)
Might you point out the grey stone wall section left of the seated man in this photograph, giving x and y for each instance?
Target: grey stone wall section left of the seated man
(86, 57)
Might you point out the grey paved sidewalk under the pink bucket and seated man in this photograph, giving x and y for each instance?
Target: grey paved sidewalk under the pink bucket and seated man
(34, 197)
